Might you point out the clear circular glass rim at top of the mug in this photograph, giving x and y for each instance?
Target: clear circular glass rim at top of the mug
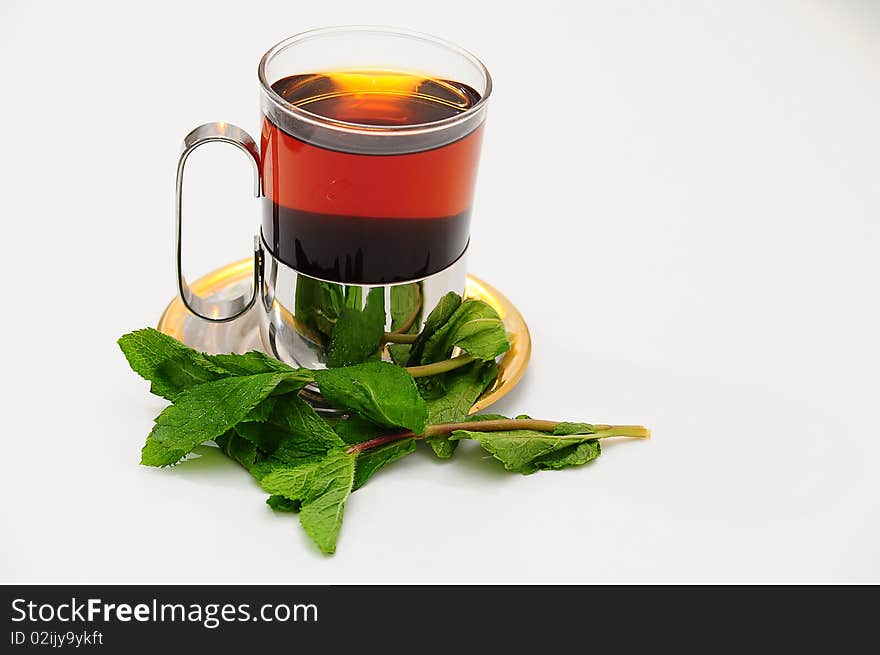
(361, 128)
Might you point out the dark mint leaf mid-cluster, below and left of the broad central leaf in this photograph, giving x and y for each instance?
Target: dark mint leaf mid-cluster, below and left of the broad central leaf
(292, 433)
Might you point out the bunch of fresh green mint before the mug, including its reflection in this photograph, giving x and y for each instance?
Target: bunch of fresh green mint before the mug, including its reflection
(249, 405)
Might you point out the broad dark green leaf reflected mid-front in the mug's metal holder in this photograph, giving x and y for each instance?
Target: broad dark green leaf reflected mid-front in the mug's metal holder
(358, 333)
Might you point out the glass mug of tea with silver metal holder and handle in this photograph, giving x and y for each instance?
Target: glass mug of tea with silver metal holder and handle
(366, 169)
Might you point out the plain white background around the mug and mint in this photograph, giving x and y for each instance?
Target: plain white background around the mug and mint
(681, 197)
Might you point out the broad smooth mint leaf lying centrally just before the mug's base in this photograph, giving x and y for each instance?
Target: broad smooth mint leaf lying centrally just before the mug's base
(379, 391)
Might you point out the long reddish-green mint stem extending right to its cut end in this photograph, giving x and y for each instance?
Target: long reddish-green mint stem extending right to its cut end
(499, 425)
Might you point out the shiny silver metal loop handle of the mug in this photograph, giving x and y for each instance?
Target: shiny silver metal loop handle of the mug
(217, 311)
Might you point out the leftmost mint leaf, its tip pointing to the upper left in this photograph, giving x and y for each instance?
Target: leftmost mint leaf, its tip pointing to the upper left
(167, 364)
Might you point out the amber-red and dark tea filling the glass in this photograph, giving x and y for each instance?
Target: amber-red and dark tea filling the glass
(347, 206)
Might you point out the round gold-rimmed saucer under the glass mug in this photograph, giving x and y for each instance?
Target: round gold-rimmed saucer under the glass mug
(243, 334)
